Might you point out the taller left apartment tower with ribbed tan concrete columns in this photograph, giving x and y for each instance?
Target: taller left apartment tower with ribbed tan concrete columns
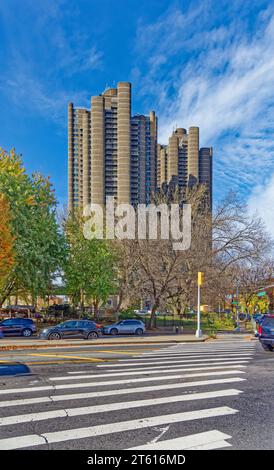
(110, 152)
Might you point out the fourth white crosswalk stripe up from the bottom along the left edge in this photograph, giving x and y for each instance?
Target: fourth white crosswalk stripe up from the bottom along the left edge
(118, 382)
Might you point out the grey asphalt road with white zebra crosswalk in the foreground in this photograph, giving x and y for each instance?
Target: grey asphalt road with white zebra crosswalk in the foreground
(207, 396)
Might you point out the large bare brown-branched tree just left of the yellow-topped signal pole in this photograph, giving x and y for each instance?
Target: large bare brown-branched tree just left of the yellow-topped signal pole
(166, 276)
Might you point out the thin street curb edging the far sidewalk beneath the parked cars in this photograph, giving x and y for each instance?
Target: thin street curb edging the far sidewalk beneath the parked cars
(50, 345)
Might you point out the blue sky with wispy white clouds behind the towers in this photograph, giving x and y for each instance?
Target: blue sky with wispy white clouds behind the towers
(208, 63)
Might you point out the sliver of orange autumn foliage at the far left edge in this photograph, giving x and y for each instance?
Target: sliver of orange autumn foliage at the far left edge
(6, 242)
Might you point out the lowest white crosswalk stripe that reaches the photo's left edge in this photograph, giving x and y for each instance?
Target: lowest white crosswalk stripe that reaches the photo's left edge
(33, 440)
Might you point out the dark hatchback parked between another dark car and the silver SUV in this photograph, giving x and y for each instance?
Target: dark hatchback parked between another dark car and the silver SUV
(85, 329)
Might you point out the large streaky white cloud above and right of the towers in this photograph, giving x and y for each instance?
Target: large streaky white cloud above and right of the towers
(221, 78)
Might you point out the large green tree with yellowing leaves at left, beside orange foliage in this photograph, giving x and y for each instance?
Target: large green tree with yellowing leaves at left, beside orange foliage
(39, 245)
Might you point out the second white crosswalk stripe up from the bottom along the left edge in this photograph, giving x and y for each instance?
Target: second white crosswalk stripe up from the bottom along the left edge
(118, 406)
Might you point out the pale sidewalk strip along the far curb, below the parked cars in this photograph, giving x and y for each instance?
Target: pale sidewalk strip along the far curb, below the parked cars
(36, 343)
